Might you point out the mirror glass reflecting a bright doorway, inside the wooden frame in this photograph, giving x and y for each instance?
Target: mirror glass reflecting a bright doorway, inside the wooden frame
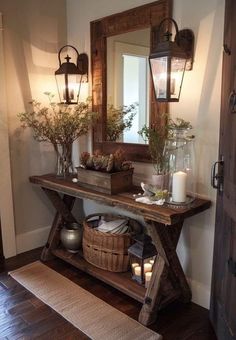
(128, 80)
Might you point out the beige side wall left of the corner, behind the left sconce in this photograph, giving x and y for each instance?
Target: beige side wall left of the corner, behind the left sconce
(33, 31)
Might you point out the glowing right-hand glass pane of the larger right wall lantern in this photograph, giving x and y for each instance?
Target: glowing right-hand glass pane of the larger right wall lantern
(176, 77)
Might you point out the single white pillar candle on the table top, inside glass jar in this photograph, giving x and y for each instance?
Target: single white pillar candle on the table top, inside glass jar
(179, 186)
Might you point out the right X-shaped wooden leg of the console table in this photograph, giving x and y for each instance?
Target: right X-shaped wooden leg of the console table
(167, 272)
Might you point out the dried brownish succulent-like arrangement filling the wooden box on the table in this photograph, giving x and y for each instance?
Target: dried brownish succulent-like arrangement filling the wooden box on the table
(107, 163)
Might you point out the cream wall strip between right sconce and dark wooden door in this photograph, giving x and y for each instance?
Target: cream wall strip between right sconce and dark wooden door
(200, 103)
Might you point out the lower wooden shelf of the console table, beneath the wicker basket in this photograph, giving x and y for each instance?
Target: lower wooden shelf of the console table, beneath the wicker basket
(120, 281)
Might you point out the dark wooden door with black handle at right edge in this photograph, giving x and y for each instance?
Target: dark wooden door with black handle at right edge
(223, 299)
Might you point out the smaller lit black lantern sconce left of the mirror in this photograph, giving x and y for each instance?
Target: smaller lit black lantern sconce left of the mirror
(70, 75)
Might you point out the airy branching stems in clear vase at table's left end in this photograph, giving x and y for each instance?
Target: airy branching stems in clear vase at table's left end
(61, 125)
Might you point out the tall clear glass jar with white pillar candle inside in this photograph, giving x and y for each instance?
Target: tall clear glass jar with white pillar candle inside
(181, 167)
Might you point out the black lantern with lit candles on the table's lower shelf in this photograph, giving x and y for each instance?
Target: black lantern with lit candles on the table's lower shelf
(142, 256)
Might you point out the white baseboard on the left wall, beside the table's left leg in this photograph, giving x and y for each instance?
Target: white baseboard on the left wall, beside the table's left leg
(31, 239)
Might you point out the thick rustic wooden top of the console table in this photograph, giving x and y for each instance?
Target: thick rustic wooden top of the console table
(166, 214)
